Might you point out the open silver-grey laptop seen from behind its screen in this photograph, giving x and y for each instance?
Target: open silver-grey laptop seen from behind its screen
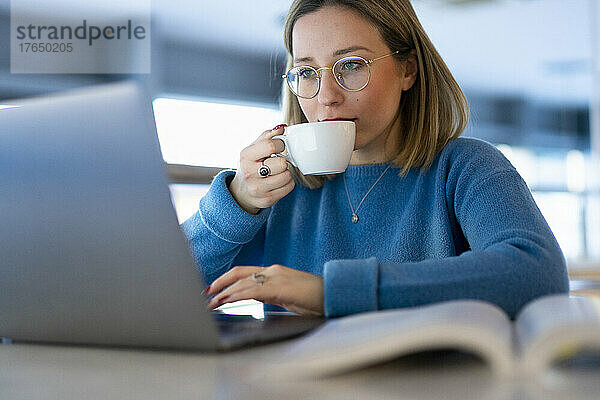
(90, 248)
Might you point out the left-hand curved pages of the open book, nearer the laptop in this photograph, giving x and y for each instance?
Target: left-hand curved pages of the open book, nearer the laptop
(350, 342)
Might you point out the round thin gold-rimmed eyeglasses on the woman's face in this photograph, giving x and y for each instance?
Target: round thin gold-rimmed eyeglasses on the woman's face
(351, 73)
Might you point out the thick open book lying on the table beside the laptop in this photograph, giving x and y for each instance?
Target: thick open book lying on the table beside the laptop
(547, 329)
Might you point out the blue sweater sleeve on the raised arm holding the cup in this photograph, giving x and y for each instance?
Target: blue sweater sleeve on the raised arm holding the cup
(221, 233)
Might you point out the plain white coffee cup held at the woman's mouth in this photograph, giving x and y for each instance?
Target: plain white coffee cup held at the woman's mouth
(319, 148)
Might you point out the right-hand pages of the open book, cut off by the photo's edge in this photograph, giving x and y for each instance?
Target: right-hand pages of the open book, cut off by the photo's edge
(555, 328)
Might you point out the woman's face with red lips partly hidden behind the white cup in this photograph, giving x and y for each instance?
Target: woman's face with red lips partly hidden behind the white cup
(323, 37)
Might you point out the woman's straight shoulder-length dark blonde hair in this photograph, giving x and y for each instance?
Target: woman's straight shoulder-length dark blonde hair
(433, 112)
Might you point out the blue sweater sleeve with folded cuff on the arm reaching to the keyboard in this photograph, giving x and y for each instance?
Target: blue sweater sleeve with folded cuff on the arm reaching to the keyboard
(513, 257)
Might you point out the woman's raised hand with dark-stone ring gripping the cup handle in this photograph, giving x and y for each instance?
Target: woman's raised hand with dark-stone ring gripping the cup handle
(253, 191)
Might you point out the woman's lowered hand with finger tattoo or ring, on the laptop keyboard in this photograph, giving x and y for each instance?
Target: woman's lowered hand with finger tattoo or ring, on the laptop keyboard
(297, 291)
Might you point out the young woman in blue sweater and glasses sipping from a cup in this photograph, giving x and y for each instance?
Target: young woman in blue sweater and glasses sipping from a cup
(419, 216)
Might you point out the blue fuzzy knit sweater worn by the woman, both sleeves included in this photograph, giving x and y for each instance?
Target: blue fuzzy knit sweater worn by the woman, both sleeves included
(467, 227)
